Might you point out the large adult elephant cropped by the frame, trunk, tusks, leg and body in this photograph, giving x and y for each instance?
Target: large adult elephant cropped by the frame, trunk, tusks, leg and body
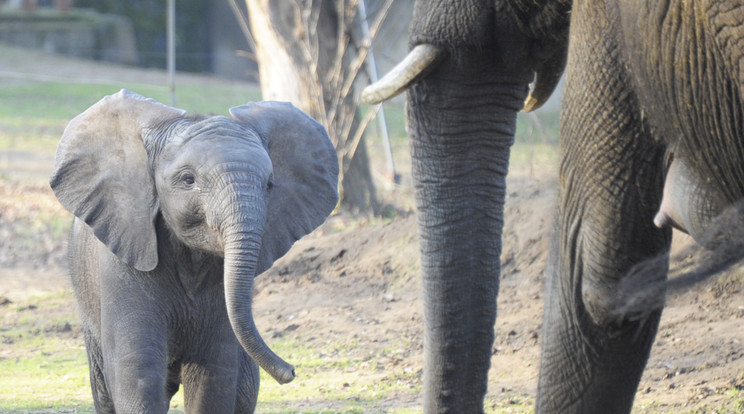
(649, 85)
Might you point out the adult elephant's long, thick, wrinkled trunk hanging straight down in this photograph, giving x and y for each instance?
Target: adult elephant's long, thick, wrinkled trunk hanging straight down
(462, 123)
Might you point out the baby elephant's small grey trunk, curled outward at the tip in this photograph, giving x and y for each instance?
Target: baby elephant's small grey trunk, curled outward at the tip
(242, 237)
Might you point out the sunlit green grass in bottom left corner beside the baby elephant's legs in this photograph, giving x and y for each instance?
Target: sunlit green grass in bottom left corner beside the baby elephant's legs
(43, 361)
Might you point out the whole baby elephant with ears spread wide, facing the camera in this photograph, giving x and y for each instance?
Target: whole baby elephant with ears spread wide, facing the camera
(174, 217)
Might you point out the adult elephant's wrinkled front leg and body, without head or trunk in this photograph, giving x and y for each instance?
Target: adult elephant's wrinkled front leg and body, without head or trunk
(662, 134)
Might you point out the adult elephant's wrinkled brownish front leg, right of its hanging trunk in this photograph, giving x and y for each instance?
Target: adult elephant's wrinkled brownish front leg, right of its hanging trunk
(611, 183)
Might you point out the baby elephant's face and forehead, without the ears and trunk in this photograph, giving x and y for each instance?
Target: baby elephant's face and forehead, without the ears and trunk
(209, 173)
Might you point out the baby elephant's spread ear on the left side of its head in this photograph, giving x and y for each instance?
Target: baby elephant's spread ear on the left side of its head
(101, 174)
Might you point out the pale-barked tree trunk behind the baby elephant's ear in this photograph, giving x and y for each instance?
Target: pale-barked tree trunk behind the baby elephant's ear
(302, 58)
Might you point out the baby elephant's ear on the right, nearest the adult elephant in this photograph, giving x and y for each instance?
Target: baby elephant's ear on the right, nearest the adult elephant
(304, 187)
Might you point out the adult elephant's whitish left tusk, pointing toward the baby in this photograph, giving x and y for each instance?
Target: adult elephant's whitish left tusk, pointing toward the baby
(421, 60)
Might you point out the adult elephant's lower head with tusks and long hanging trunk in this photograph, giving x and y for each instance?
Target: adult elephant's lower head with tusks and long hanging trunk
(474, 61)
